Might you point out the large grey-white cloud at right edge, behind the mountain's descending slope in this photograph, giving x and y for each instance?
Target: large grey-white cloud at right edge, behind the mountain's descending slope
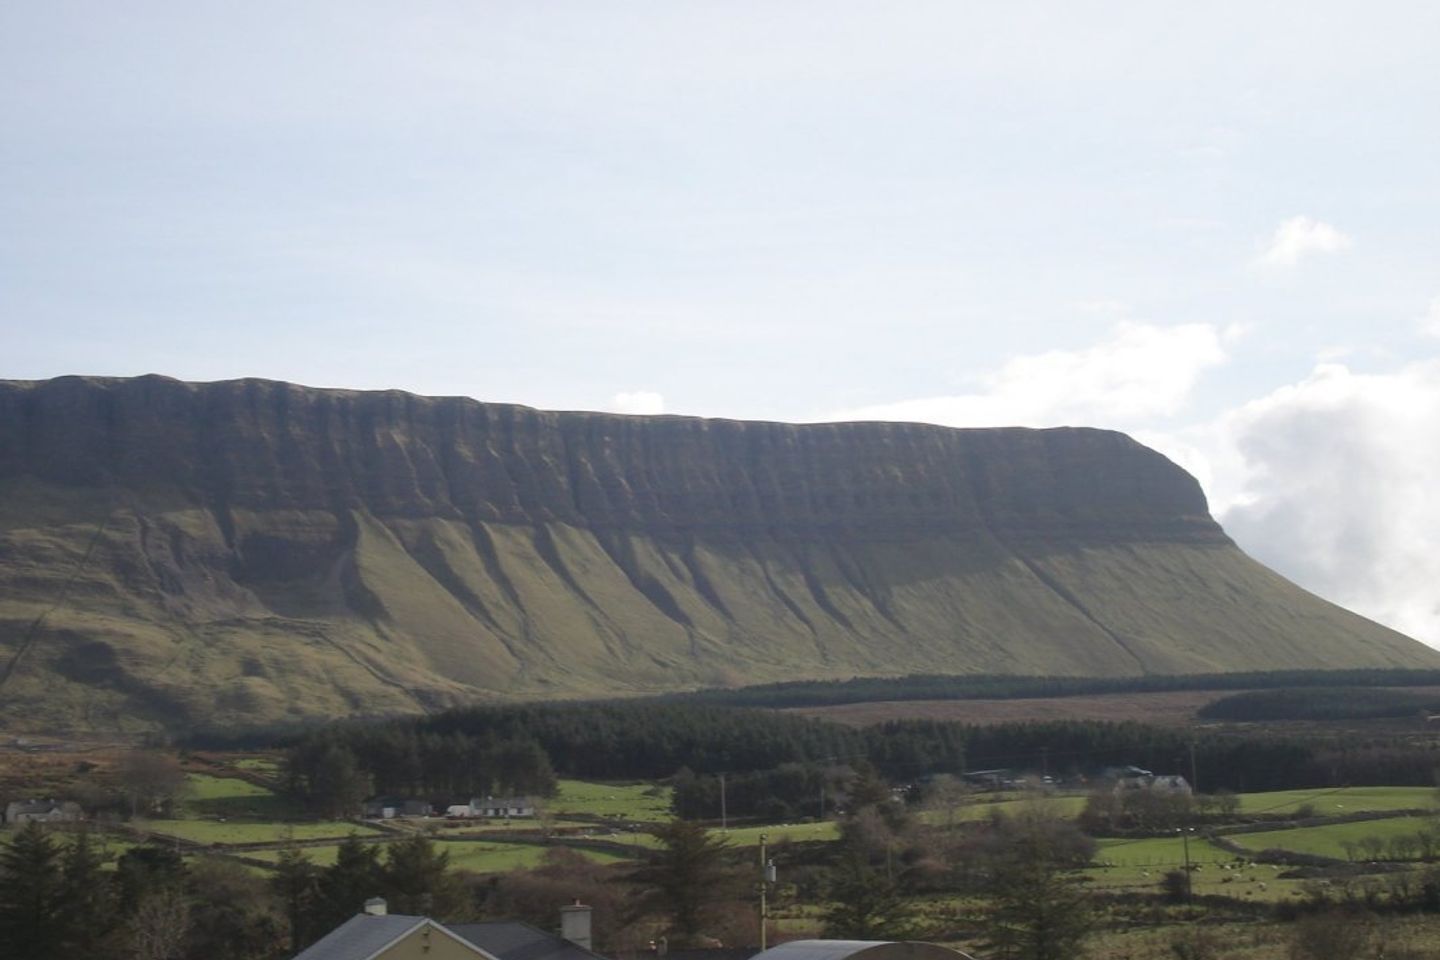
(1331, 481)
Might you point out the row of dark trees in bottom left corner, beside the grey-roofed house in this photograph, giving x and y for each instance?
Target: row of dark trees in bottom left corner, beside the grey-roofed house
(61, 899)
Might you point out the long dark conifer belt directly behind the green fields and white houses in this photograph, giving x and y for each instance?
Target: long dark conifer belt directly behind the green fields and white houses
(771, 758)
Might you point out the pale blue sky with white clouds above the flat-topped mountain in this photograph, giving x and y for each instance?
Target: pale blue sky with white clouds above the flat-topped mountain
(1213, 227)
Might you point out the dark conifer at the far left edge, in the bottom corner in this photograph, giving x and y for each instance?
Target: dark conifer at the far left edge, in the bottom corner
(32, 897)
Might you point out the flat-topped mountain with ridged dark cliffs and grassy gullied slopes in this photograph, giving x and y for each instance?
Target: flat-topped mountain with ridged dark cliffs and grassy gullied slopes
(256, 551)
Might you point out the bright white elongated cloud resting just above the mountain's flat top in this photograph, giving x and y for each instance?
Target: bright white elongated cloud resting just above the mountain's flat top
(1141, 372)
